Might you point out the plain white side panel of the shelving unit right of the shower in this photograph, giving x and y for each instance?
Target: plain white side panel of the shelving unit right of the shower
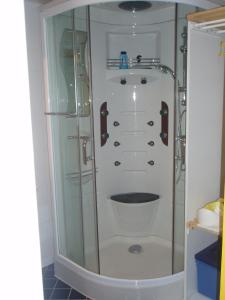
(204, 134)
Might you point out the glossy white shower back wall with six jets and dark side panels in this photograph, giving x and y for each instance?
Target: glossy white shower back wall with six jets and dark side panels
(133, 105)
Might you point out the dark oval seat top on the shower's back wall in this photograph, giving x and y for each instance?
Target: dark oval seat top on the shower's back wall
(134, 198)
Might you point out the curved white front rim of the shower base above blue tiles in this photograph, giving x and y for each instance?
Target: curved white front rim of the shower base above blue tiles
(101, 287)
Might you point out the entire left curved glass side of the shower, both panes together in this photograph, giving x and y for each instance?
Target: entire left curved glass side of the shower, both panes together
(70, 122)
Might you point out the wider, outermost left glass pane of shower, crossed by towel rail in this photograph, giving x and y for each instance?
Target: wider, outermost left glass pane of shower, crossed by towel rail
(65, 142)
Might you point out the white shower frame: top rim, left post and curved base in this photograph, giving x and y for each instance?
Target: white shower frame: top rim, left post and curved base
(89, 283)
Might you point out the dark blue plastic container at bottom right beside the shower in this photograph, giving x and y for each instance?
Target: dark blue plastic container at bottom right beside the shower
(208, 270)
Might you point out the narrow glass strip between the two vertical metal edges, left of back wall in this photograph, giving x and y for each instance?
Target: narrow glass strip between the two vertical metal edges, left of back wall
(83, 88)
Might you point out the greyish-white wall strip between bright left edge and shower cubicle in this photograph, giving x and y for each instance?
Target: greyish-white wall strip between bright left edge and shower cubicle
(33, 28)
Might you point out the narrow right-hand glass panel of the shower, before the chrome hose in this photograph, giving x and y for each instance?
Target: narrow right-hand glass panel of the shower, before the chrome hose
(180, 134)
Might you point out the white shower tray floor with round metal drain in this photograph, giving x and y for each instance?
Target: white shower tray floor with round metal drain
(153, 262)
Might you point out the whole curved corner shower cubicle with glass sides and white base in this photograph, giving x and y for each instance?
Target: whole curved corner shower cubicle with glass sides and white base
(117, 139)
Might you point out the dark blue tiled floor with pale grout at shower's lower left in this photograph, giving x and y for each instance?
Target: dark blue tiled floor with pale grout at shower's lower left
(57, 289)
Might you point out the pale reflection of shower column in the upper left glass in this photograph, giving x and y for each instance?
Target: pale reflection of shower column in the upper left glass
(74, 64)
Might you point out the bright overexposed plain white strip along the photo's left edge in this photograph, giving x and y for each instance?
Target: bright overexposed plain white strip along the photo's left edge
(20, 250)
